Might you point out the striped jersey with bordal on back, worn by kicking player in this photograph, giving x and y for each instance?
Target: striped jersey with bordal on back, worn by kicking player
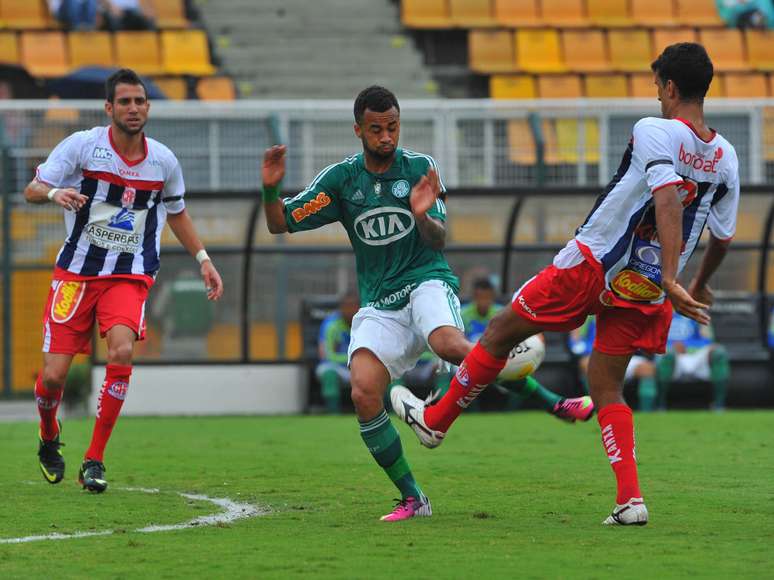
(620, 232)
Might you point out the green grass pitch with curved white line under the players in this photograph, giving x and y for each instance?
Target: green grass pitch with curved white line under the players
(514, 495)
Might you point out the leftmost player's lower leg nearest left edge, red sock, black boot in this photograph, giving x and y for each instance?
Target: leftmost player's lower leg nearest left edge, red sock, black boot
(49, 388)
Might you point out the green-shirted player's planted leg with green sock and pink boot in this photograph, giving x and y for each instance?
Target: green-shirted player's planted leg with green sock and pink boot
(369, 383)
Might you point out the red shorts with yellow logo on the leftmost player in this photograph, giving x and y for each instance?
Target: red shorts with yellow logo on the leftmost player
(72, 307)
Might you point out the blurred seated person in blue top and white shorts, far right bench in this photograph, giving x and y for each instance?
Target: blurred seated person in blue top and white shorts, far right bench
(693, 355)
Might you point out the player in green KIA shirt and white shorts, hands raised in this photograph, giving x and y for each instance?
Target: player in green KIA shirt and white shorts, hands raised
(391, 204)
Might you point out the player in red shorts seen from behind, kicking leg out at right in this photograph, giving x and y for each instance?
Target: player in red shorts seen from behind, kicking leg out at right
(676, 176)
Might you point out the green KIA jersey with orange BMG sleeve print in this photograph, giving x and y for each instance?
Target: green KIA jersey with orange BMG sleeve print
(391, 257)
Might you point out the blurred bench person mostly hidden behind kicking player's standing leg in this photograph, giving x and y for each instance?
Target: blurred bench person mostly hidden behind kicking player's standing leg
(640, 368)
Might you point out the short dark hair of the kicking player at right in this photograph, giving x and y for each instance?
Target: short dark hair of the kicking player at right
(688, 65)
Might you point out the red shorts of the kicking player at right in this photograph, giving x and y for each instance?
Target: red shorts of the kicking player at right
(560, 299)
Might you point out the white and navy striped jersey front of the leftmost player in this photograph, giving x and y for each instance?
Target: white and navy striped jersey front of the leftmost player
(117, 232)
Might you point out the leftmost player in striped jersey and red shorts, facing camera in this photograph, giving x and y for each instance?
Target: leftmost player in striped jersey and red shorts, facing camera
(117, 189)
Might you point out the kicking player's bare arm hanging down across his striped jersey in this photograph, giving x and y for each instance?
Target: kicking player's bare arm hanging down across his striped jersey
(669, 214)
